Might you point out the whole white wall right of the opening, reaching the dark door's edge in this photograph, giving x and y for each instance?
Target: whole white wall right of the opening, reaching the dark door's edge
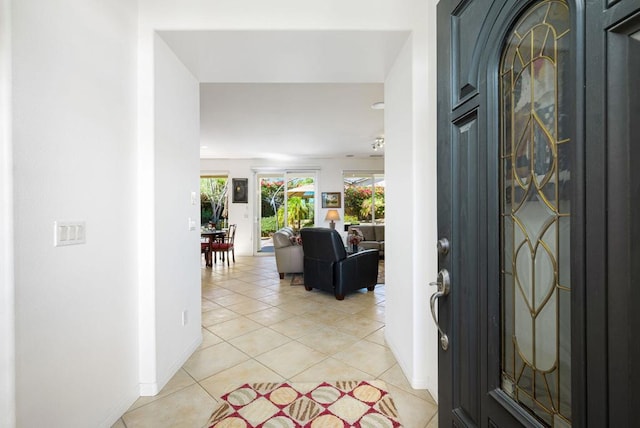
(411, 196)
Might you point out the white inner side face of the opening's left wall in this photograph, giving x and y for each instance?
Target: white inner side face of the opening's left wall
(177, 248)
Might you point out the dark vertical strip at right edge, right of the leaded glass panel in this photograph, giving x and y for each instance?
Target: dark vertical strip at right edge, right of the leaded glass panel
(612, 202)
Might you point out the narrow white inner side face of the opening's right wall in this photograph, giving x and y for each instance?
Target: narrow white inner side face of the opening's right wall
(401, 188)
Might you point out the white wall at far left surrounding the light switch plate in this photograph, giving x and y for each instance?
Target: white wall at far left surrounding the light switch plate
(74, 112)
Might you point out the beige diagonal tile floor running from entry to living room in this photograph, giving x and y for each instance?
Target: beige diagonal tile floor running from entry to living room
(258, 328)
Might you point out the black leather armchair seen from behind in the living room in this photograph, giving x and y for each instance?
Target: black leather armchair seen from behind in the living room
(328, 267)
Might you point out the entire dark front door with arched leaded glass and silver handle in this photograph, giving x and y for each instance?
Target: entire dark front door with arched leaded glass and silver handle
(538, 212)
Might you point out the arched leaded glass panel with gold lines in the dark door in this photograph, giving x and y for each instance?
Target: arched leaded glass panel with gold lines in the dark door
(535, 219)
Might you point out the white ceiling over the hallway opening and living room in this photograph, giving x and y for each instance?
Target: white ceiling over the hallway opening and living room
(288, 94)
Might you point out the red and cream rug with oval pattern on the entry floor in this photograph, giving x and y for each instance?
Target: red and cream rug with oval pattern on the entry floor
(363, 404)
